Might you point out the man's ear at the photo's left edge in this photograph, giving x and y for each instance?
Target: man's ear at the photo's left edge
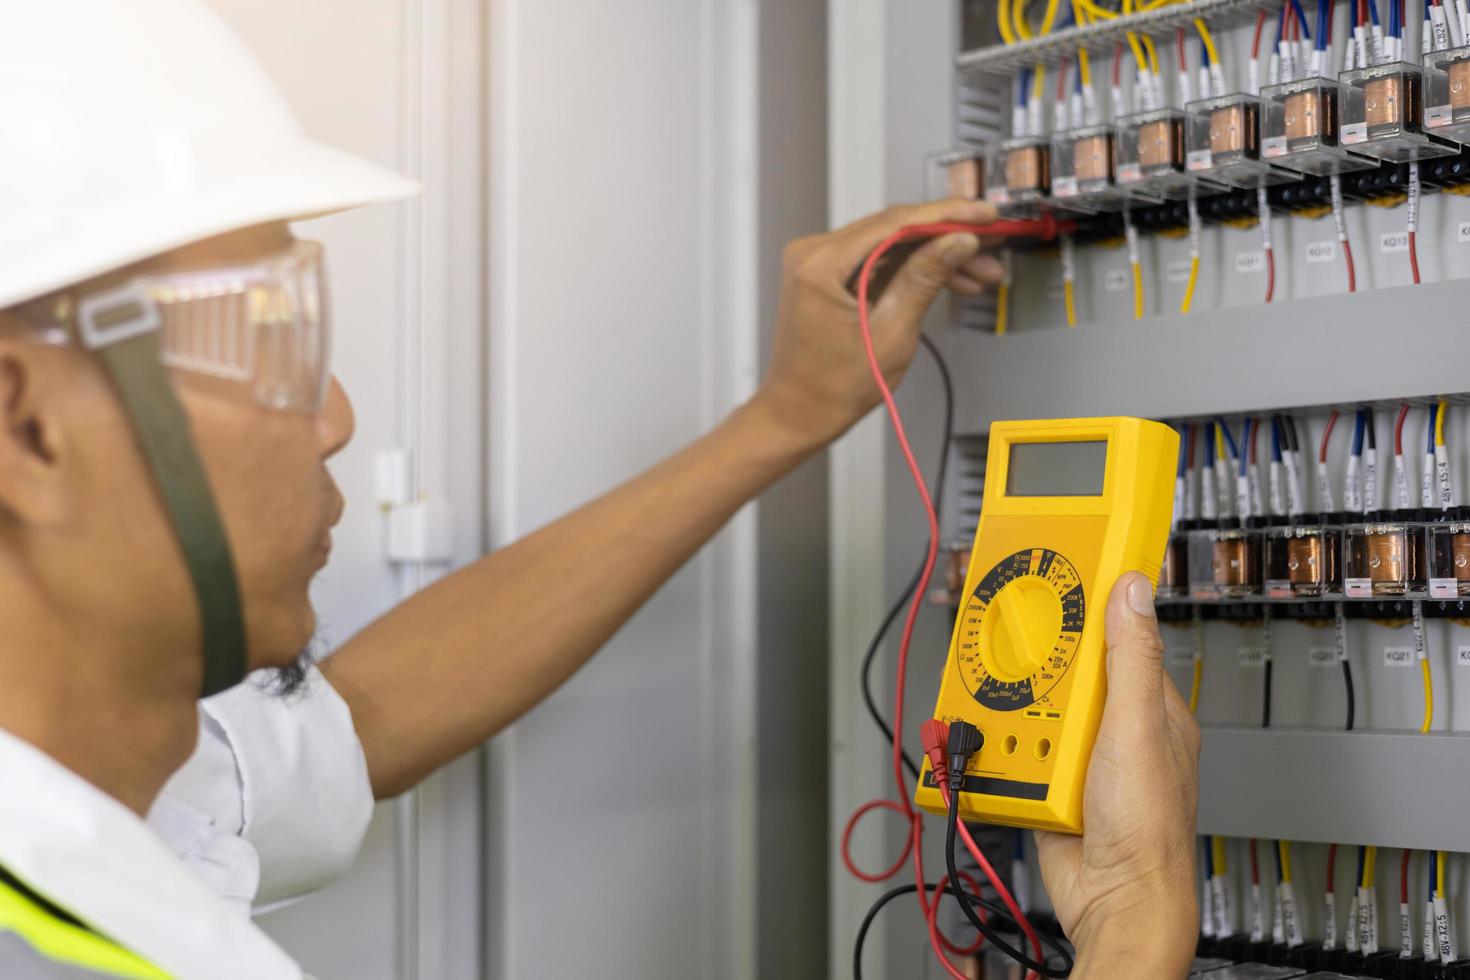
(33, 442)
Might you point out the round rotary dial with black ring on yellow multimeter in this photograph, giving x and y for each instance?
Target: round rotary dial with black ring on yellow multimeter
(1021, 630)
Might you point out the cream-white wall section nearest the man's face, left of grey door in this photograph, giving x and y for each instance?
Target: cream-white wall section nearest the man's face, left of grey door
(398, 82)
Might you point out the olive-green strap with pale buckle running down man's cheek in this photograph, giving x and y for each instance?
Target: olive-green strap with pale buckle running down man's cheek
(123, 328)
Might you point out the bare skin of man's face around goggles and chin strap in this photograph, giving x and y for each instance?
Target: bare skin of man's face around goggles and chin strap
(105, 549)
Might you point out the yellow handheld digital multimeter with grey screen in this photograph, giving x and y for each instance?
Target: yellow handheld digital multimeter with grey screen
(1071, 505)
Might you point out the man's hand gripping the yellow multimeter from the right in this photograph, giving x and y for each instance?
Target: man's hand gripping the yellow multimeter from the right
(1124, 891)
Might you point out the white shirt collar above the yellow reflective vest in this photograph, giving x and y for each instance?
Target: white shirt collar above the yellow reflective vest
(98, 860)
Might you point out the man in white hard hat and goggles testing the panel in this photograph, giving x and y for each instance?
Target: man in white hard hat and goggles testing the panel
(165, 417)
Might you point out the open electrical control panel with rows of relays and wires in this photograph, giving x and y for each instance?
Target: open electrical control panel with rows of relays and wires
(1271, 253)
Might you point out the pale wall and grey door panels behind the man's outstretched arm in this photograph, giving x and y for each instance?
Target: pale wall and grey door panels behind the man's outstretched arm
(642, 164)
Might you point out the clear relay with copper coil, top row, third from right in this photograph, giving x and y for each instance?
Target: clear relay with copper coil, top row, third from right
(1300, 129)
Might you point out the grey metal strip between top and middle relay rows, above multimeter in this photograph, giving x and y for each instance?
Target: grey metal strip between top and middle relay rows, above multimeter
(1380, 346)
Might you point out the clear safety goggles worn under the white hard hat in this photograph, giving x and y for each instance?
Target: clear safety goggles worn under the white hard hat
(259, 328)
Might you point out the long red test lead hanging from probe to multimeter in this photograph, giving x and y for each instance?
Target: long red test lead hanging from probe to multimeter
(912, 846)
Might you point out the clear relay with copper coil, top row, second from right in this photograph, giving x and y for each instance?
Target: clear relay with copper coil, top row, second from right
(1383, 114)
